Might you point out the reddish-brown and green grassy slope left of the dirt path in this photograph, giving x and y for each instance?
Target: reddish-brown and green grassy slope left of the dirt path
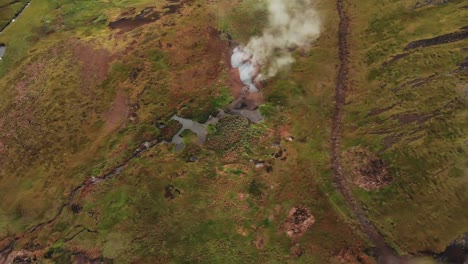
(93, 95)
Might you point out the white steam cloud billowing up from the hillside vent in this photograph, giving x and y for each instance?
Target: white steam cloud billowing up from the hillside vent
(291, 24)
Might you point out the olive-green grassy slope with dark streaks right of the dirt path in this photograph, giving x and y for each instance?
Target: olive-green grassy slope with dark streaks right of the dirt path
(408, 106)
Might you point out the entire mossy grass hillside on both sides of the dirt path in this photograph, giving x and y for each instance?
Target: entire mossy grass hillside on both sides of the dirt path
(85, 173)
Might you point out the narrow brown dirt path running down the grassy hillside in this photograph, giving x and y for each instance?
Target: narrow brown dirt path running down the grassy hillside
(383, 253)
